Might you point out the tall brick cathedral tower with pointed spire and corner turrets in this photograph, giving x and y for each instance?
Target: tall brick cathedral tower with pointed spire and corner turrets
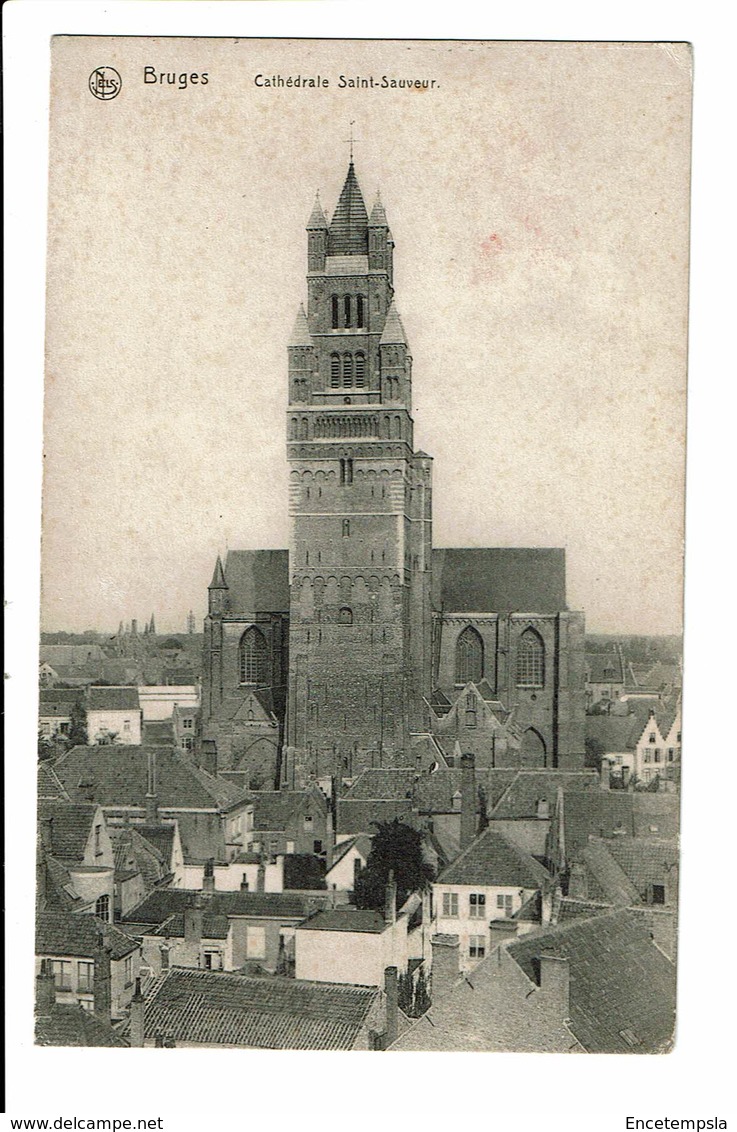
(361, 510)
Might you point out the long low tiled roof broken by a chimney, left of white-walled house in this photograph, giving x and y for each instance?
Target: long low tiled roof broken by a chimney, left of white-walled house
(164, 903)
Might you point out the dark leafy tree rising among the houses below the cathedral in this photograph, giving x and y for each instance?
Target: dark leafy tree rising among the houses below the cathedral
(397, 848)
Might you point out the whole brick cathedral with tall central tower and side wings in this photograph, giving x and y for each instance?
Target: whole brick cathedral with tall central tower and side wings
(363, 646)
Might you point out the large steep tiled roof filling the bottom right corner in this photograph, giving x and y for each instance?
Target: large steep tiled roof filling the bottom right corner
(620, 982)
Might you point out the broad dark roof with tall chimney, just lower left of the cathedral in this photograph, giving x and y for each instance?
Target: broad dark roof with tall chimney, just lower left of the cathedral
(118, 776)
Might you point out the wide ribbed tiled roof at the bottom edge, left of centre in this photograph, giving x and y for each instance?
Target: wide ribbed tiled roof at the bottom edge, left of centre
(264, 1014)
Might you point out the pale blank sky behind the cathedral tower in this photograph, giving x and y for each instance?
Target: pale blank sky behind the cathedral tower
(538, 200)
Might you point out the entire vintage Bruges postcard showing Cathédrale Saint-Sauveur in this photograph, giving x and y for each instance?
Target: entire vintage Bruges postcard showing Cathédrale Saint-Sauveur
(361, 670)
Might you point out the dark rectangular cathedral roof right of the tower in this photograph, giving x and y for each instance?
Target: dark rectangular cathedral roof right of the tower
(500, 580)
